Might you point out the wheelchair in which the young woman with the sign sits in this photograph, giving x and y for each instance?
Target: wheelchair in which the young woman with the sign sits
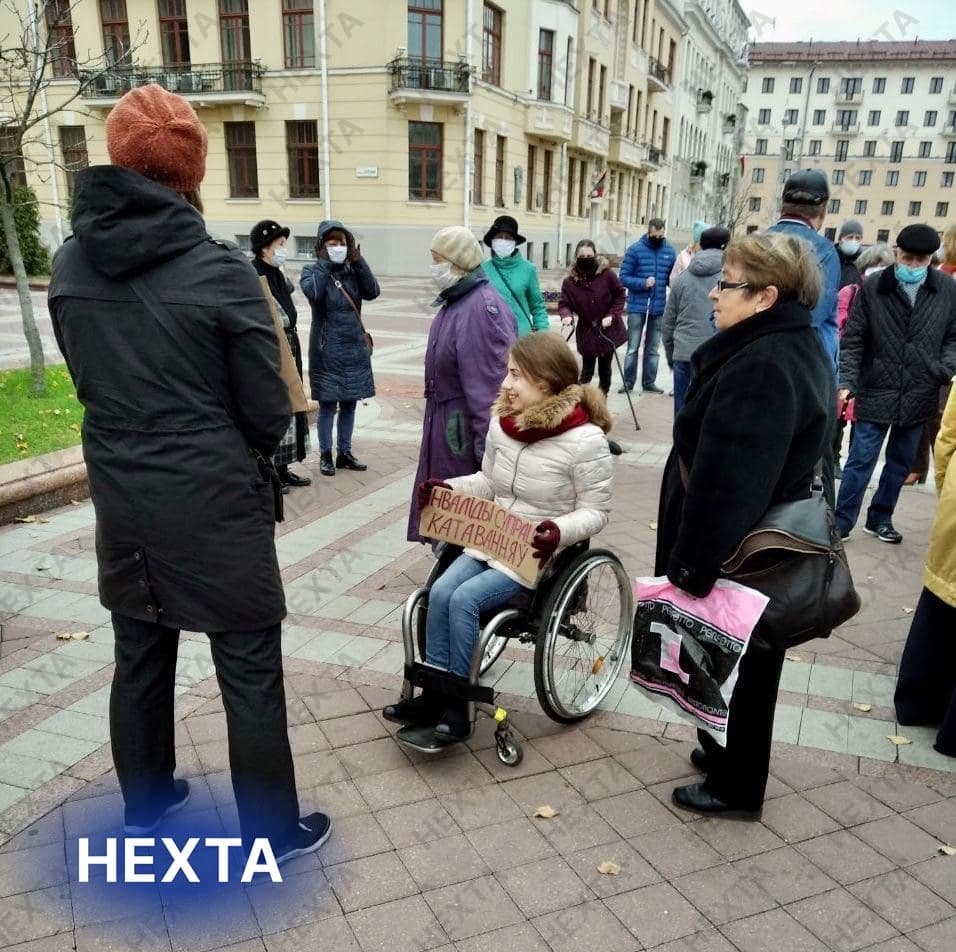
(579, 619)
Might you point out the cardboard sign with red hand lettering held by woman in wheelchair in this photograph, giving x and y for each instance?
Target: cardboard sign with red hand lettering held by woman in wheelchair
(483, 525)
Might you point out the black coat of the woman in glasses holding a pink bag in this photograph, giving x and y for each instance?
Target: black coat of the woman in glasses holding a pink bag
(757, 418)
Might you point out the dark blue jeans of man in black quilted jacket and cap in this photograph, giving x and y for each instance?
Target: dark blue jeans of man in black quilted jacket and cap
(857, 471)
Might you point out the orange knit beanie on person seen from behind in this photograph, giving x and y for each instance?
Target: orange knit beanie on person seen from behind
(158, 134)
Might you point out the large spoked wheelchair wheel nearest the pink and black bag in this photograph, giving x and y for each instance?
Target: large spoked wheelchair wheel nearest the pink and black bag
(583, 636)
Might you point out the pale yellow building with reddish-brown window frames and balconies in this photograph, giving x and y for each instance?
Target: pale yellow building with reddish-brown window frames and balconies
(403, 117)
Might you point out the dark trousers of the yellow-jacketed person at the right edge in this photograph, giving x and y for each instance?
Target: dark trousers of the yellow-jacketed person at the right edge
(926, 684)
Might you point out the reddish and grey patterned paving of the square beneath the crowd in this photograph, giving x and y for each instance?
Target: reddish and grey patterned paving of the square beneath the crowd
(447, 853)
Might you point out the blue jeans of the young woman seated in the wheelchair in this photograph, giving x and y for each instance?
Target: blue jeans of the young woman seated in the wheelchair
(455, 603)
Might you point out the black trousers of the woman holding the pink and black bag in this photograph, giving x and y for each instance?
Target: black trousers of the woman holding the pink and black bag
(739, 771)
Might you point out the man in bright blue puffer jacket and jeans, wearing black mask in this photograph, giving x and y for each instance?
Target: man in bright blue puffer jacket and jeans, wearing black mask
(645, 272)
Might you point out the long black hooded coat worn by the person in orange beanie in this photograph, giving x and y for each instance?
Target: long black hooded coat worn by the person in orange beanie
(185, 531)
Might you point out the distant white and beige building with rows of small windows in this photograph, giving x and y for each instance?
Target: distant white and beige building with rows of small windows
(878, 117)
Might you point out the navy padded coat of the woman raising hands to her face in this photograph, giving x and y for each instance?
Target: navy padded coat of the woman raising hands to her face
(340, 366)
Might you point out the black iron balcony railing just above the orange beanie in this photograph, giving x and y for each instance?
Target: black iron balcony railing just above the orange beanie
(187, 79)
